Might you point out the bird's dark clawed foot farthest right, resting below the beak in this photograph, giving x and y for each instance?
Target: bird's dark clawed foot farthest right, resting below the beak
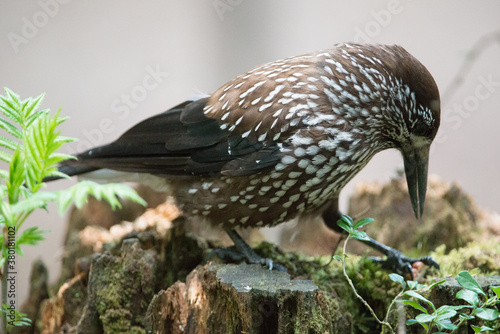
(401, 264)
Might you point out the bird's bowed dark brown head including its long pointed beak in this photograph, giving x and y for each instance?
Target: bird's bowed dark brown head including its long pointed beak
(414, 110)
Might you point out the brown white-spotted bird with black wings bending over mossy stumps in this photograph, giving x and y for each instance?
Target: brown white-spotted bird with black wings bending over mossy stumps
(281, 140)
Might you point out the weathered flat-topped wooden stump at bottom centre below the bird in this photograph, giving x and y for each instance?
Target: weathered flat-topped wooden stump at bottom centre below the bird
(243, 299)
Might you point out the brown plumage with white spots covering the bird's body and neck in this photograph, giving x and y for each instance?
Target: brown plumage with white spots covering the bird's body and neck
(329, 112)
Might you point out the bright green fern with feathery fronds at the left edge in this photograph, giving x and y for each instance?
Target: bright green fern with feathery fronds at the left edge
(30, 142)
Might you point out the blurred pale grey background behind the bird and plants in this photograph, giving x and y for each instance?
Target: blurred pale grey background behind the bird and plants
(110, 64)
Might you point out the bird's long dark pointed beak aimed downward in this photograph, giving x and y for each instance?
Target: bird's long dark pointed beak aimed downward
(416, 161)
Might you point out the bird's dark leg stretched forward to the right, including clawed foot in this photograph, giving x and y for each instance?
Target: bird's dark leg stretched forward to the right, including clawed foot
(395, 261)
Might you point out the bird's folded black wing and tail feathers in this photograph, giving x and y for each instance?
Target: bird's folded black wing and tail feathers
(180, 142)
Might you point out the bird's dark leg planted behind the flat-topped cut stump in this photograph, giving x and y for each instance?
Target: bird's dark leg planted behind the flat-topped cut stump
(243, 250)
